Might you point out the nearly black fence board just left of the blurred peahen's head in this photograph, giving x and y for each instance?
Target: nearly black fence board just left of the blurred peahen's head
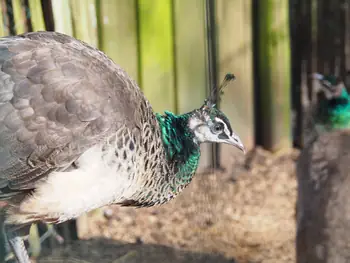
(303, 50)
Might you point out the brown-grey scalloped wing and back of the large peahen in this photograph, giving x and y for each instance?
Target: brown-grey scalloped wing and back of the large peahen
(58, 97)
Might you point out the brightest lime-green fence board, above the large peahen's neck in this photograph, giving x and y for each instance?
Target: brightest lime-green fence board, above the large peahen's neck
(156, 53)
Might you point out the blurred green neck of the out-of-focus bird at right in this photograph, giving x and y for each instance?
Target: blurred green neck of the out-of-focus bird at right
(335, 113)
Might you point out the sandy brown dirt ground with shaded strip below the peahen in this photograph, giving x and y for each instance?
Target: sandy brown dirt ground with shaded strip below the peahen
(244, 214)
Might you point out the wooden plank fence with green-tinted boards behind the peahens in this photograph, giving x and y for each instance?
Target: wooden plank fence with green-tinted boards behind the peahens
(177, 50)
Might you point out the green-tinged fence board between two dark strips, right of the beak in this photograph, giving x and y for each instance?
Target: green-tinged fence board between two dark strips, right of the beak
(273, 52)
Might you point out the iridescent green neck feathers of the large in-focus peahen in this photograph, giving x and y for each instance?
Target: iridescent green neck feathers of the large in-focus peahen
(180, 147)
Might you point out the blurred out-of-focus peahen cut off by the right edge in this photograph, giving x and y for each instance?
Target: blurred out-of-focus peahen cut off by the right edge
(323, 173)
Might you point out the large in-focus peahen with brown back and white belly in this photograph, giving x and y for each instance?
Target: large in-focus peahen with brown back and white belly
(77, 133)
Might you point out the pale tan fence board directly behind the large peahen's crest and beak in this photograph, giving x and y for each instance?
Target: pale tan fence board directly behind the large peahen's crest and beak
(234, 36)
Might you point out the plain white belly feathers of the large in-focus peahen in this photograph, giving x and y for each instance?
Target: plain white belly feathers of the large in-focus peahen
(94, 184)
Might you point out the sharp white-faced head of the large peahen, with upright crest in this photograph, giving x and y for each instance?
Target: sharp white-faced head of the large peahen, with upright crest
(209, 124)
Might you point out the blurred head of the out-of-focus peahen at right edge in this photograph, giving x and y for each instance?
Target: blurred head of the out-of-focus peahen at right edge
(331, 87)
